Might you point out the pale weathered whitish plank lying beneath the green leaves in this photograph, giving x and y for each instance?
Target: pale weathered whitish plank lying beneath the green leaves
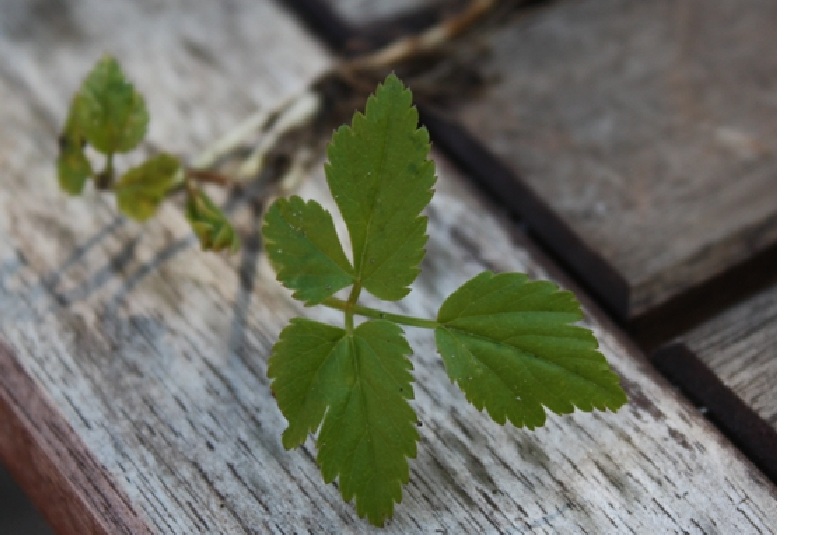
(154, 352)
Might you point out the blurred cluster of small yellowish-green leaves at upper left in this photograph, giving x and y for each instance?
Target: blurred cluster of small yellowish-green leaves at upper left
(108, 114)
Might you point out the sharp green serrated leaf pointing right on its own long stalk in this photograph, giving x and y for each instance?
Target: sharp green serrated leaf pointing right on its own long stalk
(510, 345)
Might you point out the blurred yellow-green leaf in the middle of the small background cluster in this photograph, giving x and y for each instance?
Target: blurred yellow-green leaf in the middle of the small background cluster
(142, 188)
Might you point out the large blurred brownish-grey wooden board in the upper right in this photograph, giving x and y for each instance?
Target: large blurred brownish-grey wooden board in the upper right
(648, 127)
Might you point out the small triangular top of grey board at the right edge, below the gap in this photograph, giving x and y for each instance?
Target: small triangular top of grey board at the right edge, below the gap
(740, 346)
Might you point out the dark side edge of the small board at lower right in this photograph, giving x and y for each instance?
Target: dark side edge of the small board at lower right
(752, 435)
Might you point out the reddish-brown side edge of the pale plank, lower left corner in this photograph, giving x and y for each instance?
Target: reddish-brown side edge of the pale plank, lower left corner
(52, 465)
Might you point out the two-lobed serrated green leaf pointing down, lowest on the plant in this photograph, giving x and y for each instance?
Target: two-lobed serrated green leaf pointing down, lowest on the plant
(357, 383)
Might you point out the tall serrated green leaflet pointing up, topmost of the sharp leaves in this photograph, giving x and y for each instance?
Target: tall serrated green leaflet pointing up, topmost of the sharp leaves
(381, 179)
